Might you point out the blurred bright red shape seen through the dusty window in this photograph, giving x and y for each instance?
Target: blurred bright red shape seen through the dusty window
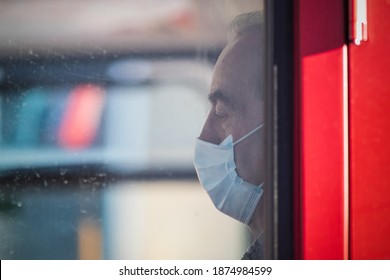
(82, 116)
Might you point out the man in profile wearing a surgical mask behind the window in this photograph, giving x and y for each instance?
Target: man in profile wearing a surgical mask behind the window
(229, 153)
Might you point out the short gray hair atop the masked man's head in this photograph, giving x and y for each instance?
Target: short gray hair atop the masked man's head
(251, 22)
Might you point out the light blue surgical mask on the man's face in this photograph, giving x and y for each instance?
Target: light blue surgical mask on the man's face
(216, 171)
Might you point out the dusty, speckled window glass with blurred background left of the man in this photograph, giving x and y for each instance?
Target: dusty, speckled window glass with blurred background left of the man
(100, 106)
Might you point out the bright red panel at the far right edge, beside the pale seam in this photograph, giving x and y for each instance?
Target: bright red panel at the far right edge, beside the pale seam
(370, 137)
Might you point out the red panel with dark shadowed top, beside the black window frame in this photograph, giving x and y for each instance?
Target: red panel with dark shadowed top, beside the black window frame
(319, 92)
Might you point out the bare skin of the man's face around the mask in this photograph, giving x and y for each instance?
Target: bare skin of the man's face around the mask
(237, 106)
